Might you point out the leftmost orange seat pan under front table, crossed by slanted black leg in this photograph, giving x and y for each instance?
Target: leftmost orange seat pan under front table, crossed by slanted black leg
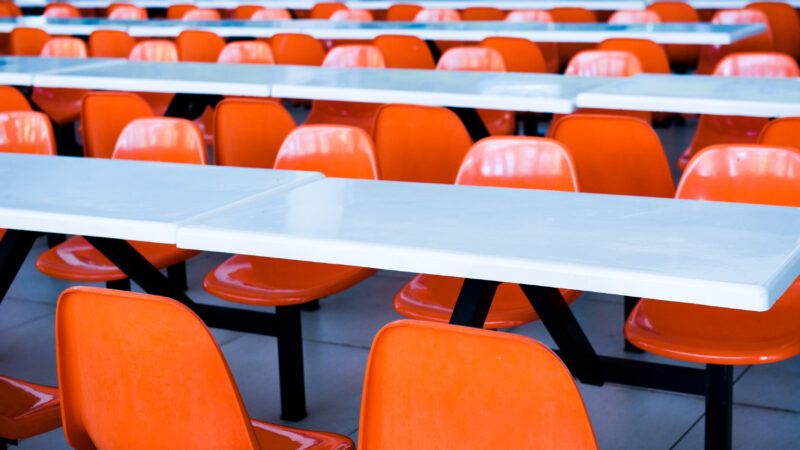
(77, 260)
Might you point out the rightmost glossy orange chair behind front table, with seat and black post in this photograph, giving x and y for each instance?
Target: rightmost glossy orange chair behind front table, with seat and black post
(720, 337)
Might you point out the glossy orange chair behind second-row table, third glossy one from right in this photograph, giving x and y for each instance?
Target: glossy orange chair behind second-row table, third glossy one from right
(484, 59)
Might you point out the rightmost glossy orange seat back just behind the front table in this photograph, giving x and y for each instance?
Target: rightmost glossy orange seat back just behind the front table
(743, 173)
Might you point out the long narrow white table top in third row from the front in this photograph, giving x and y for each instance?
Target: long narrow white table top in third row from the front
(663, 33)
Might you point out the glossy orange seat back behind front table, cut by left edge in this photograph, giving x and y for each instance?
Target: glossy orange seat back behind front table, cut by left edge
(26, 132)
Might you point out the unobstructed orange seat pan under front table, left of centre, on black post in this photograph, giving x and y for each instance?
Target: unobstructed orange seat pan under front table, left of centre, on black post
(279, 282)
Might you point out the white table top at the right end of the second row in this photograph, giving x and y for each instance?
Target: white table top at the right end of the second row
(698, 94)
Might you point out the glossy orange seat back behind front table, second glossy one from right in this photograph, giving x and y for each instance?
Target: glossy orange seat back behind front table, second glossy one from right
(519, 162)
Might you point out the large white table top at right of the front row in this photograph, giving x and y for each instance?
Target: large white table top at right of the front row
(718, 254)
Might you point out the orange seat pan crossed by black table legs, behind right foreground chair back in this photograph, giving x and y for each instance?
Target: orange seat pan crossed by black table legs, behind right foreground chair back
(433, 297)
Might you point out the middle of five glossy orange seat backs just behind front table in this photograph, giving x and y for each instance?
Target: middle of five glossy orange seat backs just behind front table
(335, 150)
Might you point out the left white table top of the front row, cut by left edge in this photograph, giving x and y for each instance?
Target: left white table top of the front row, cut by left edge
(123, 199)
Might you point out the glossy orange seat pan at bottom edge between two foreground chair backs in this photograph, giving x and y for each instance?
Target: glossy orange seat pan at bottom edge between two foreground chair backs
(276, 437)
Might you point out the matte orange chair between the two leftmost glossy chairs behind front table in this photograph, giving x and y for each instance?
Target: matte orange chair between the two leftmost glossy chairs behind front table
(103, 117)
